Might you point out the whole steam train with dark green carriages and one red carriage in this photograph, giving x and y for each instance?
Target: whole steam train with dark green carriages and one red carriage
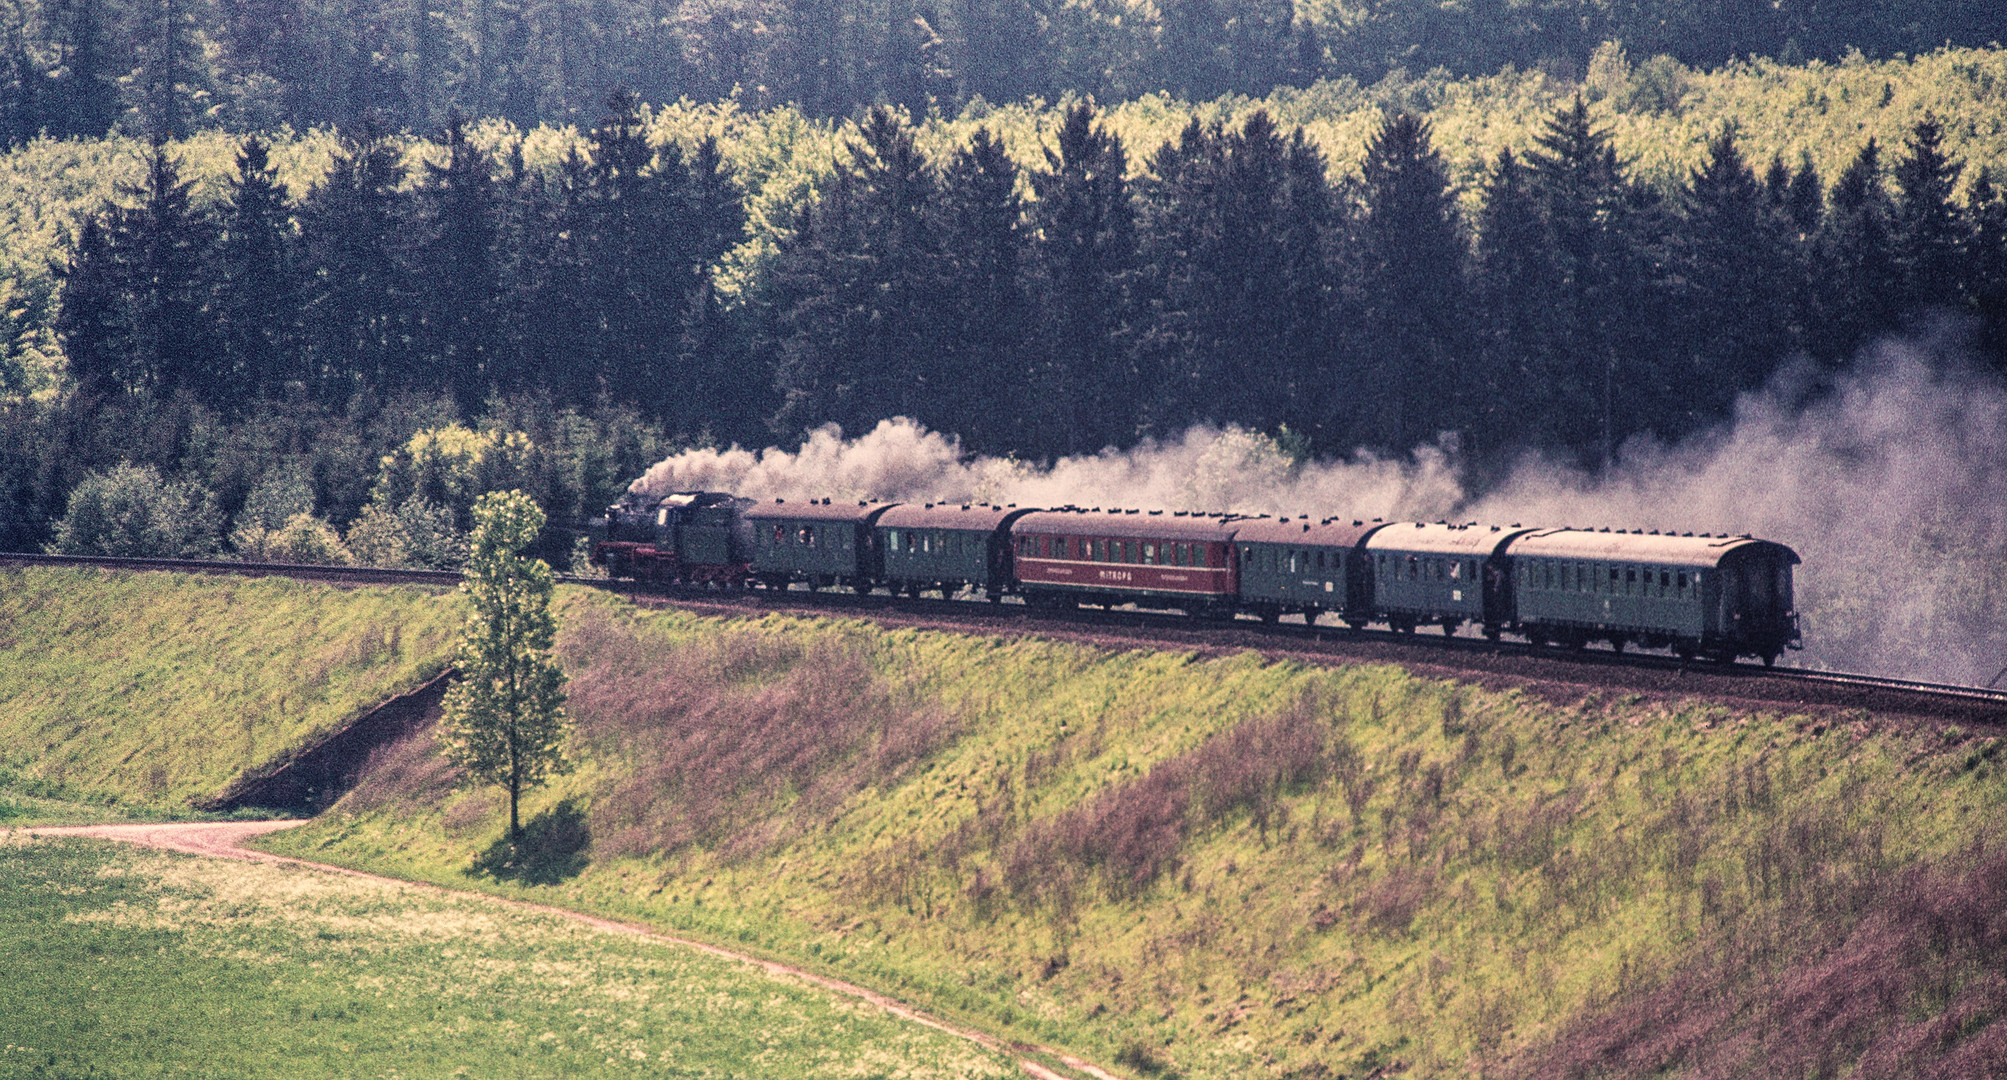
(1719, 597)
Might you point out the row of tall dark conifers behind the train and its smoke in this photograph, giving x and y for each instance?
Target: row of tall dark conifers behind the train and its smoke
(1033, 310)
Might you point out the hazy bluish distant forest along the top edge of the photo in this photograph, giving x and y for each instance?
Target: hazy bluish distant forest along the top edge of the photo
(170, 67)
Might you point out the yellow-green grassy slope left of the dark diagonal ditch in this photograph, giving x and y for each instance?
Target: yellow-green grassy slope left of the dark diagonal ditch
(141, 692)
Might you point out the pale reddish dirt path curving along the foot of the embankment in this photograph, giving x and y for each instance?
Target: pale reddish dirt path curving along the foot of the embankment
(226, 840)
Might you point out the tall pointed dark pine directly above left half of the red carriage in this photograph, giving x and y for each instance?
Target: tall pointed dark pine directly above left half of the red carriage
(1085, 254)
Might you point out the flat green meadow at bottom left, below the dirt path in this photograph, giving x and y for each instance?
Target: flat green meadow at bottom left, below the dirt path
(125, 963)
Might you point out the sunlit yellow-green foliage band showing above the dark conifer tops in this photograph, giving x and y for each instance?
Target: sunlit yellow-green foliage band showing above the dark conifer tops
(1659, 113)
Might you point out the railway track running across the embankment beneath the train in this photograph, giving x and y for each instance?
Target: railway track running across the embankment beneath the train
(1464, 653)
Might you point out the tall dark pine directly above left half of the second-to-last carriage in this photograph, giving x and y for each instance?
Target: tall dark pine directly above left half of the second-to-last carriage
(1414, 284)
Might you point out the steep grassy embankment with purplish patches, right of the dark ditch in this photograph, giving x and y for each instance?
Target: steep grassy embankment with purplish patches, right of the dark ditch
(1227, 868)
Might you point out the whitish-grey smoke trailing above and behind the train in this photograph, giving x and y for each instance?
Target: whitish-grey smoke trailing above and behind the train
(1892, 485)
